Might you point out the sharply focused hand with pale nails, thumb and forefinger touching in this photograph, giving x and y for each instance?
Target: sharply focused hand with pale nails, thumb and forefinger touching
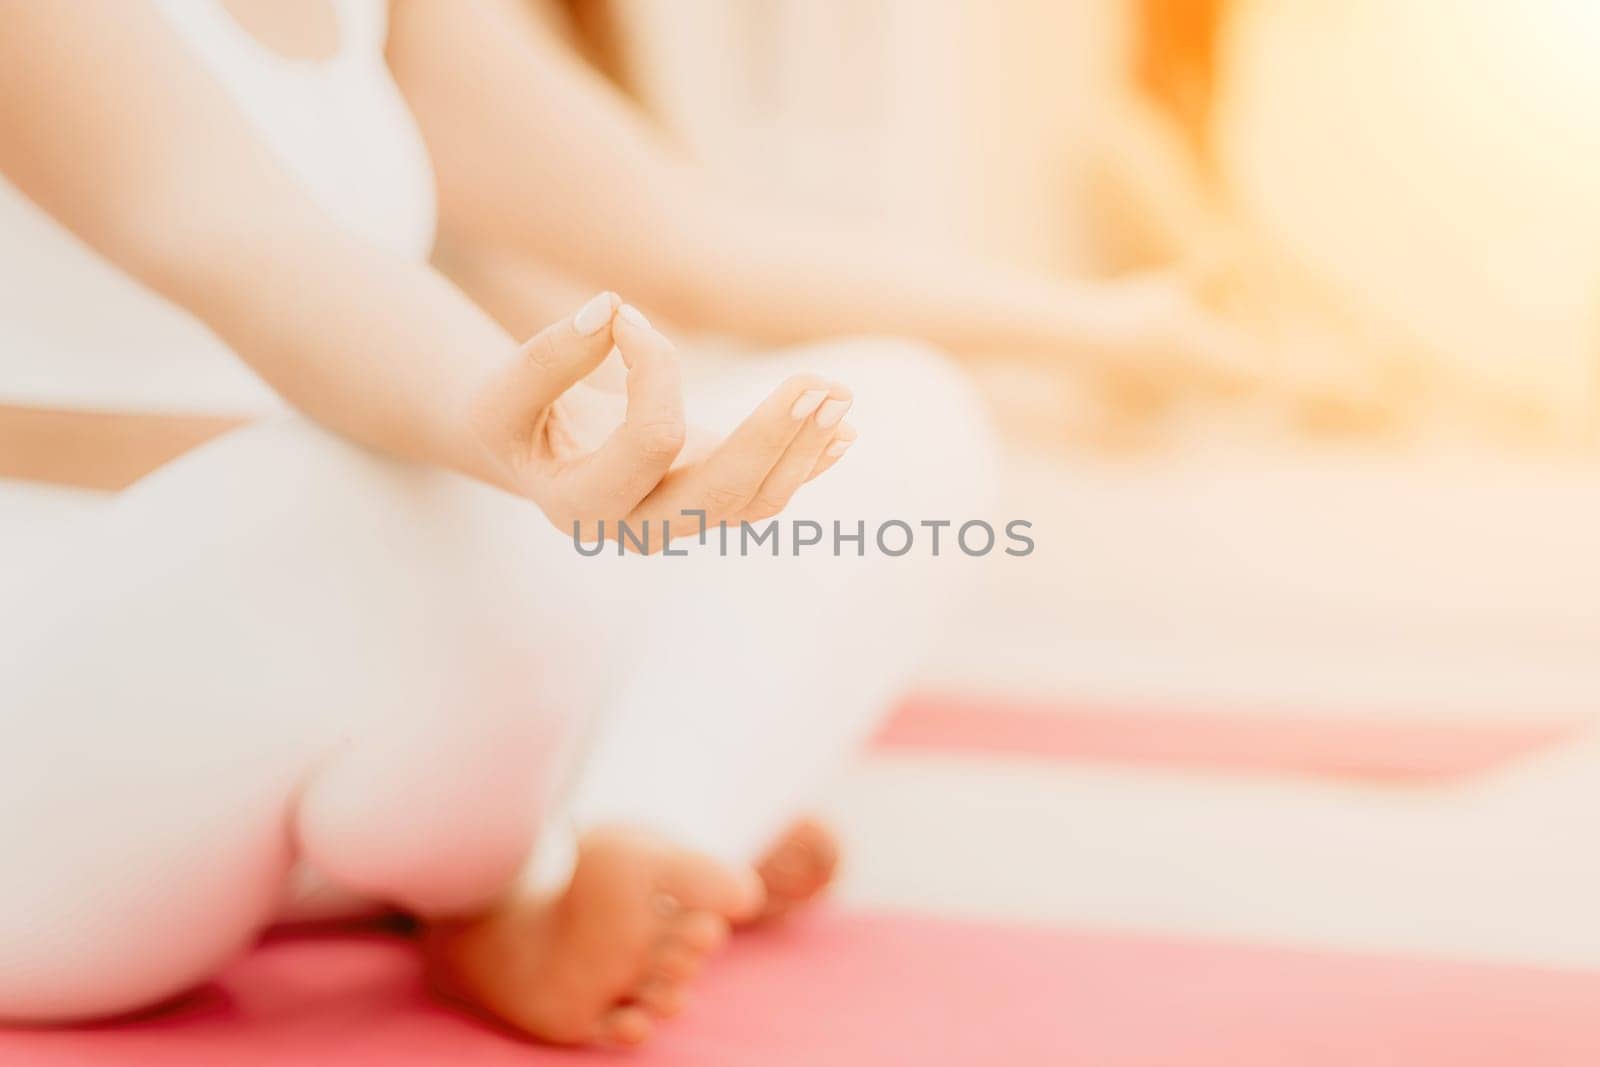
(593, 460)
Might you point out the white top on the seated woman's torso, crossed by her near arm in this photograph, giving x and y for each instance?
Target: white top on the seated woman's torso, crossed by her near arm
(79, 334)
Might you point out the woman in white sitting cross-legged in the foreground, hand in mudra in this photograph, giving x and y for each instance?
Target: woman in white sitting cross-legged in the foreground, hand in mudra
(265, 665)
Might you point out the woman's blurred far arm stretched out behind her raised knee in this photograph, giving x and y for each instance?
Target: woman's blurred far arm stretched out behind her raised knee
(546, 170)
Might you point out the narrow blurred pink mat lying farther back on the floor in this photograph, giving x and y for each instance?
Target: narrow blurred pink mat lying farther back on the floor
(1321, 746)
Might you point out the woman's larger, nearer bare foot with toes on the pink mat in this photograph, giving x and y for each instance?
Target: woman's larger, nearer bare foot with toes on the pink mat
(604, 959)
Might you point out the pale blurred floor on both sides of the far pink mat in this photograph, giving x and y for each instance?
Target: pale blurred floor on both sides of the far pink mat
(1318, 585)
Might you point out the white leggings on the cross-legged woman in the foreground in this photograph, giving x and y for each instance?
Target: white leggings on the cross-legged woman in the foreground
(282, 655)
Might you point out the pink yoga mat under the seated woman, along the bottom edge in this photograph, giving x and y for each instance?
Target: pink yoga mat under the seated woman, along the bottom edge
(839, 991)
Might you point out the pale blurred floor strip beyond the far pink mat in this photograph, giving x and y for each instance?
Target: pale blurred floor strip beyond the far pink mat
(1455, 585)
